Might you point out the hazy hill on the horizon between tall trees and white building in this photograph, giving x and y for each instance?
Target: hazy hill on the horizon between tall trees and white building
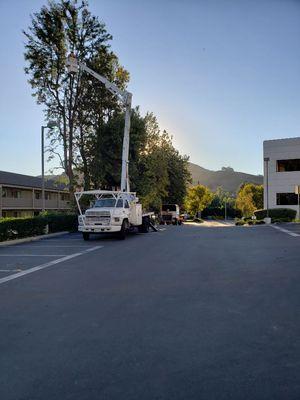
(227, 178)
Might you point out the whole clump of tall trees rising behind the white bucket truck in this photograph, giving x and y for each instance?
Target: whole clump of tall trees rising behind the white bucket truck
(89, 138)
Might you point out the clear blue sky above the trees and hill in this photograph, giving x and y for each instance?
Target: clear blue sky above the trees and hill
(221, 76)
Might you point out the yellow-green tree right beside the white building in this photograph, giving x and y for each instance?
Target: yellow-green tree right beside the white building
(250, 198)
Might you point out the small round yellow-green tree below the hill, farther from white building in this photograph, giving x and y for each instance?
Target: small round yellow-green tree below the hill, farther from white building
(198, 197)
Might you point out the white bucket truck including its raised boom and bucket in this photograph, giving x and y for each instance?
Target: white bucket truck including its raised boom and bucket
(112, 211)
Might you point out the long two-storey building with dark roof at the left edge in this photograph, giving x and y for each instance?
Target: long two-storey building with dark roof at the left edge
(21, 195)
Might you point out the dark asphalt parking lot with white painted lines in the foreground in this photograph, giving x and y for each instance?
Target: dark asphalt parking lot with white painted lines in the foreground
(187, 313)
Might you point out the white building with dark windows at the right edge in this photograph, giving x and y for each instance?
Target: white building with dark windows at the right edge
(281, 173)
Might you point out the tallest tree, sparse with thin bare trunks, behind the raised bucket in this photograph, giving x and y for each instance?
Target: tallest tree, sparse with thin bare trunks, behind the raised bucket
(77, 106)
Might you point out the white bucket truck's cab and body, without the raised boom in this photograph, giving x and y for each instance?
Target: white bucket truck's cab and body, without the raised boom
(112, 211)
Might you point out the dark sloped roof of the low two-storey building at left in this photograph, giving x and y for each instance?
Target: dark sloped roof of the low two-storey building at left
(10, 178)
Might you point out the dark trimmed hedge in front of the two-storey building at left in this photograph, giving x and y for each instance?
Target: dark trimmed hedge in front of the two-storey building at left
(16, 228)
